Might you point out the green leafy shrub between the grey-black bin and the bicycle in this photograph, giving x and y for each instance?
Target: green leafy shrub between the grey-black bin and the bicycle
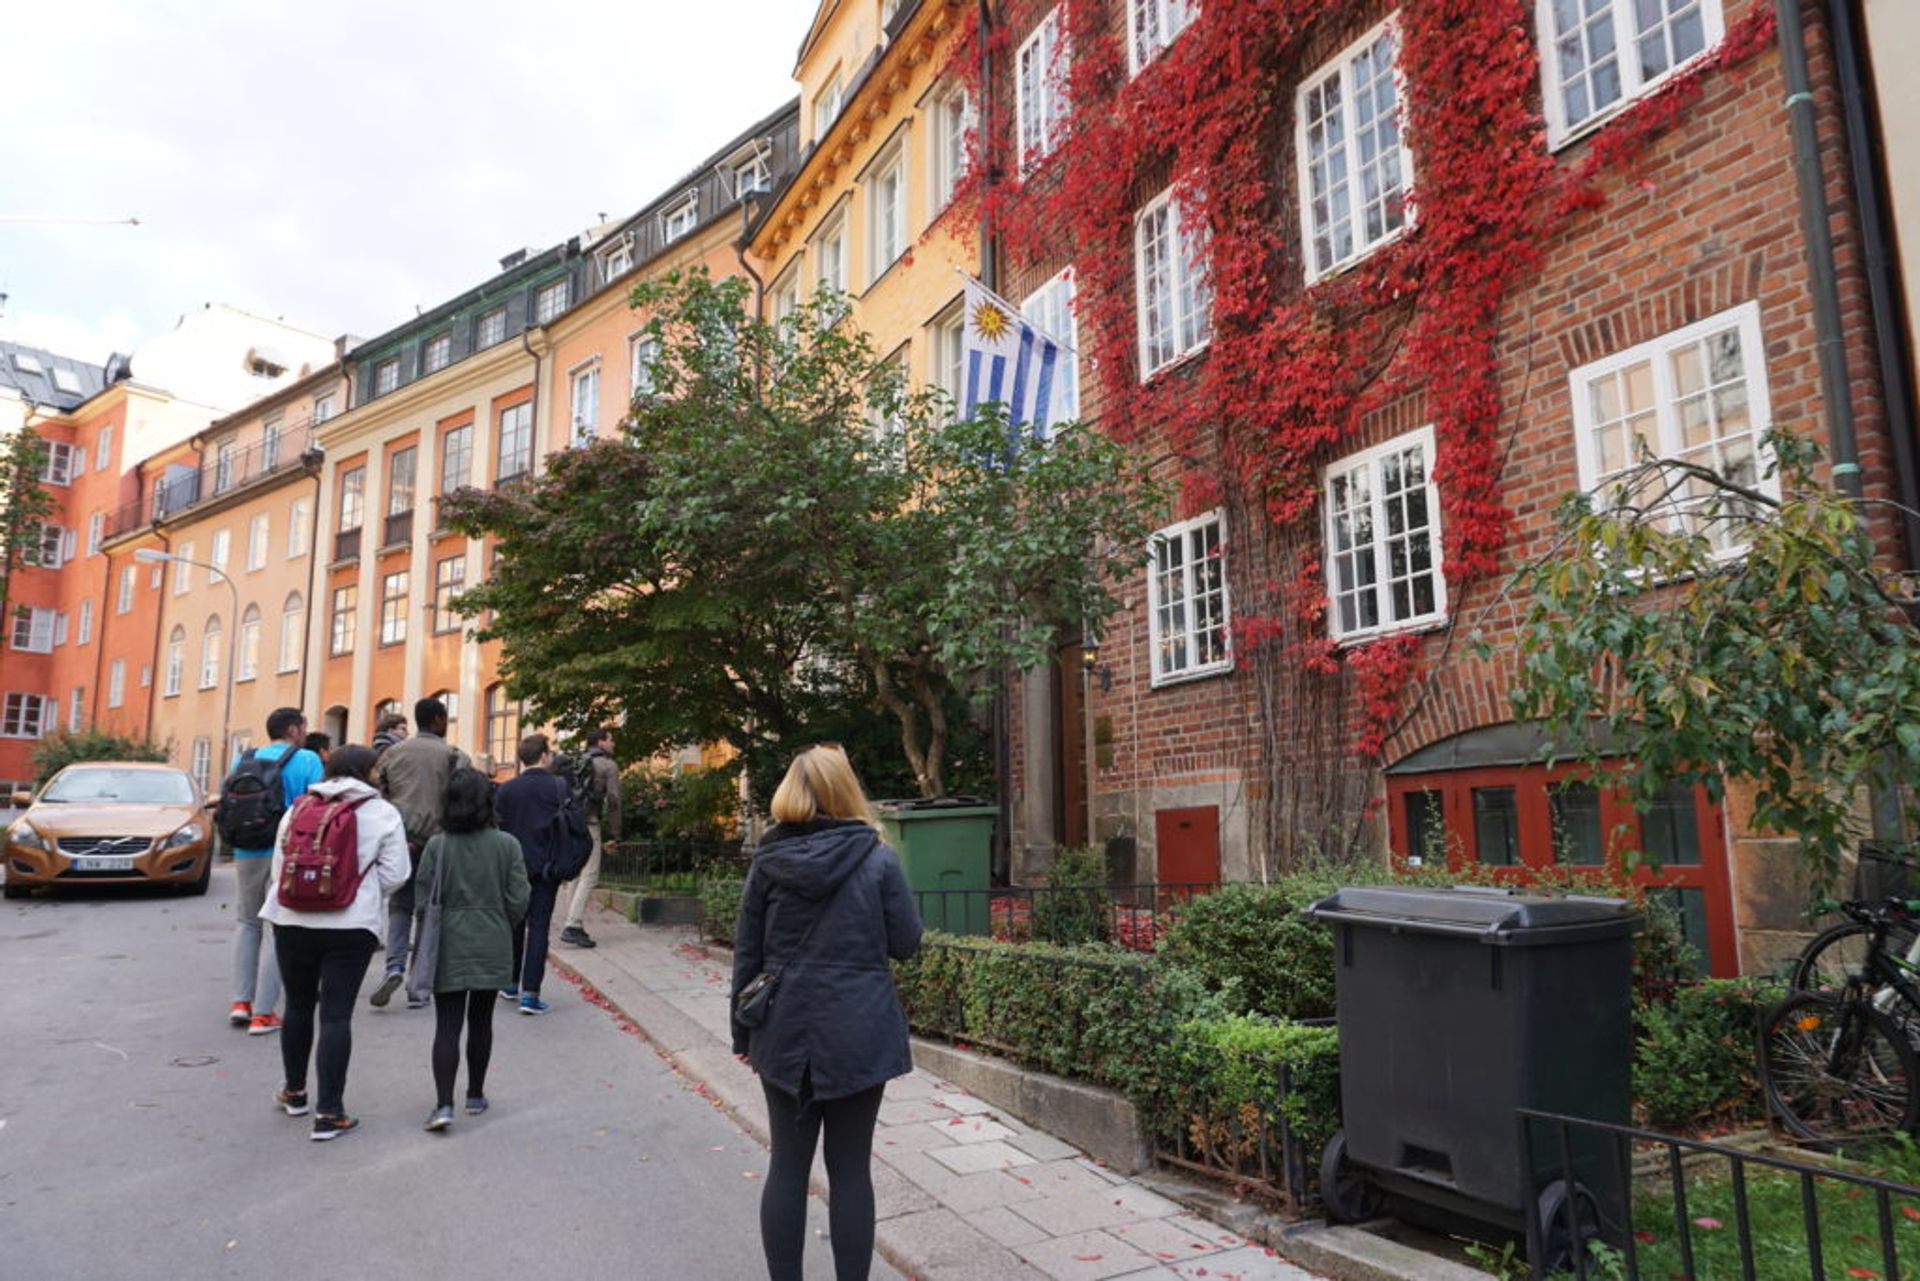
(1694, 1053)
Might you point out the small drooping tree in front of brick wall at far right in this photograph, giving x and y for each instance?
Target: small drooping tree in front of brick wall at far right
(1696, 629)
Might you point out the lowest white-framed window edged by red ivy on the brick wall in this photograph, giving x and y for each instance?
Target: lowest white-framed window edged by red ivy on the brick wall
(1383, 539)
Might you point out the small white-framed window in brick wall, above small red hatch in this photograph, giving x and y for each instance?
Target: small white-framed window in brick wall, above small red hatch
(1188, 600)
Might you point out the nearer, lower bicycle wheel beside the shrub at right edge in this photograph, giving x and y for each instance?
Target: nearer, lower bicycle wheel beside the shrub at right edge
(1838, 1071)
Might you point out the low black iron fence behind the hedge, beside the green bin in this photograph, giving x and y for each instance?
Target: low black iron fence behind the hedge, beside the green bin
(1067, 915)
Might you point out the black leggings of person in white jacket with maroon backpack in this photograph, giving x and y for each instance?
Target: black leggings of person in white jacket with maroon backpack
(322, 969)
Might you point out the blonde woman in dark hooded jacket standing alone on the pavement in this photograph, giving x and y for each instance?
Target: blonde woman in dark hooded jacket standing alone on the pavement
(815, 1011)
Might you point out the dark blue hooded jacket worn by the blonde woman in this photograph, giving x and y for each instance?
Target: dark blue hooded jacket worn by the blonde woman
(836, 1021)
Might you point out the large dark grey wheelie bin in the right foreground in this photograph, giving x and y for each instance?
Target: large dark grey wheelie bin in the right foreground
(1458, 1007)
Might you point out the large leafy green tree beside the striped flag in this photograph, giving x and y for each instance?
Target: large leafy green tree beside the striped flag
(786, 529)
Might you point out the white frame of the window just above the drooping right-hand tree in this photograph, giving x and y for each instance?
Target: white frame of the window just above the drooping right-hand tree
(1660, 352)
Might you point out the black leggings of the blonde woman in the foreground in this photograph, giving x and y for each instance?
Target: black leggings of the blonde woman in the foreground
(850, 1151)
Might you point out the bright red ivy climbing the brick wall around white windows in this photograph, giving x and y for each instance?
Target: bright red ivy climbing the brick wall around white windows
(1289, 370)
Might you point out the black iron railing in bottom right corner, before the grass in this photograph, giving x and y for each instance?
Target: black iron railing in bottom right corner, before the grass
(1648, 1205)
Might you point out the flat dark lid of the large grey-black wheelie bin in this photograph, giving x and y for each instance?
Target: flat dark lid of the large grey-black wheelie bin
(1487, 913)
